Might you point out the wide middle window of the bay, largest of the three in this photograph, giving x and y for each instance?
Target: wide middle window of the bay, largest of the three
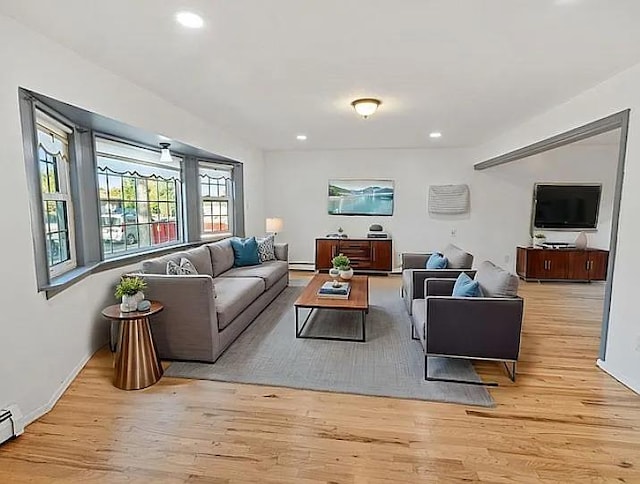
(140, 198)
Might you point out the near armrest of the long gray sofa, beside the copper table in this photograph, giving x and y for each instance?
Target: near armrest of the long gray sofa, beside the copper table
(188, 326)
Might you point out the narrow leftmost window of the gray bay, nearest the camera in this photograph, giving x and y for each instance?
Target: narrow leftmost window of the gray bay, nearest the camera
(57, 207)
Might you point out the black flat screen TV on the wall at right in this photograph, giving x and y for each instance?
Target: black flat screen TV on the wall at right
(569, 207)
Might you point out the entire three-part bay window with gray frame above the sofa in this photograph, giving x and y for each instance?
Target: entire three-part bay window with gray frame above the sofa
(97, 201)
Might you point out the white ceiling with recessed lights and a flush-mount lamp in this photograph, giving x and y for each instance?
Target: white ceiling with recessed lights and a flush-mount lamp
(268, 70)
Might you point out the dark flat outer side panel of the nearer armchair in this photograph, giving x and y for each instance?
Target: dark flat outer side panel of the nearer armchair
(474, 327)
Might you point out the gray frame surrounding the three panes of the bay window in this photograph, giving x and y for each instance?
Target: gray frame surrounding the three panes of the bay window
(84, 190)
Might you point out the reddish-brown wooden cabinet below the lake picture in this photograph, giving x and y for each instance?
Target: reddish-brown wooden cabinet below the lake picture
(367, 255)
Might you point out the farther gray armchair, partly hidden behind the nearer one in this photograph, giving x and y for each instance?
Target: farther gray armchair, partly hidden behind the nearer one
(414, 273)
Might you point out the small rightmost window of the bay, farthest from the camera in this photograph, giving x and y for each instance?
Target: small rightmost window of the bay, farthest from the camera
(216, 194)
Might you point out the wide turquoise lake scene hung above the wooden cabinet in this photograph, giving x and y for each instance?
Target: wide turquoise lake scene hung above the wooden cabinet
(360, 197)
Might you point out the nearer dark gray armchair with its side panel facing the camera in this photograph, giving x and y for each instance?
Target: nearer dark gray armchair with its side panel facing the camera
(483, 328)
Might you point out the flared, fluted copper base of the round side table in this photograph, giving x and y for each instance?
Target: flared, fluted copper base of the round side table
(137, 363)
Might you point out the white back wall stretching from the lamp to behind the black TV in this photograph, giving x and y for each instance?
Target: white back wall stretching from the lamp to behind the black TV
(501, 198)
